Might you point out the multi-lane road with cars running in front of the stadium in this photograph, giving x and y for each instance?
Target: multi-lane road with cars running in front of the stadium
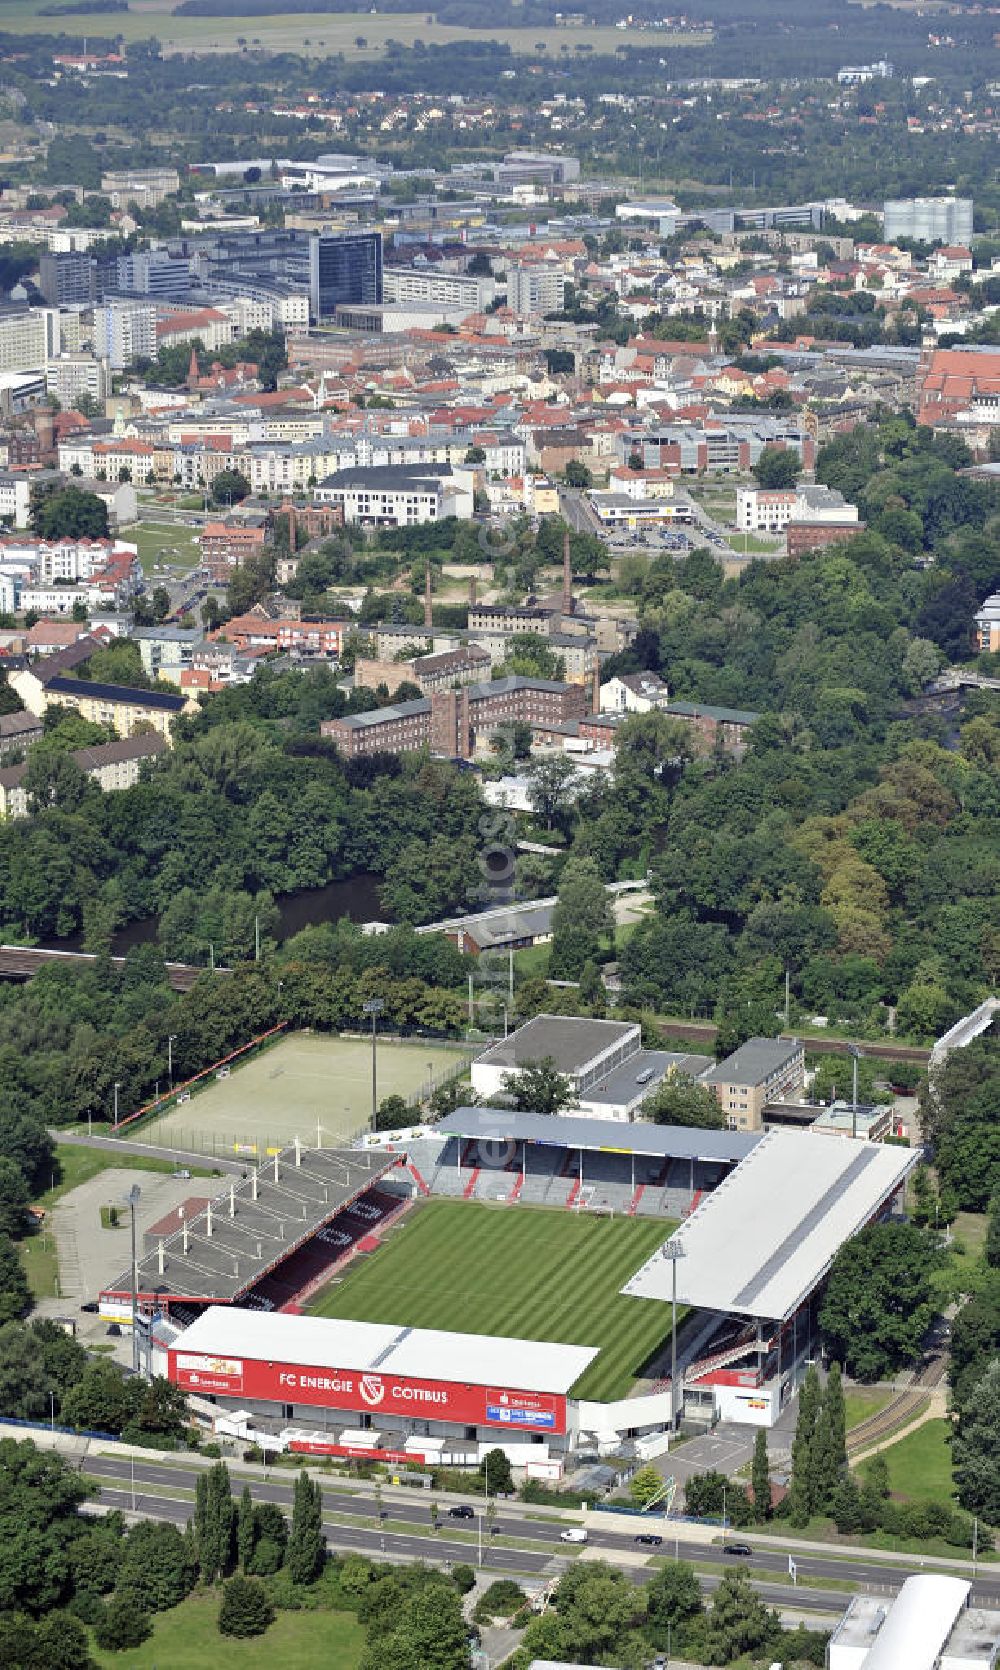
(166, 1492)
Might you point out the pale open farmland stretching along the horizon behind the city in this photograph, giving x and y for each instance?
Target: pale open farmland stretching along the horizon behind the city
(320, 34)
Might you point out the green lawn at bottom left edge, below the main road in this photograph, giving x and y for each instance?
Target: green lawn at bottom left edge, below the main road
(188, 1639)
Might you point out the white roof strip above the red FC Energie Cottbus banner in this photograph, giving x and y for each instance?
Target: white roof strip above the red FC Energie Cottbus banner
(422, 1354)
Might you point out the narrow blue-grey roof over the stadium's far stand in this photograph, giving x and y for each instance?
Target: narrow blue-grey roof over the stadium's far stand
(610, 1136)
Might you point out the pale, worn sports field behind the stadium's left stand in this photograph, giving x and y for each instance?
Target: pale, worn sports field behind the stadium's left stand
(293, 1088)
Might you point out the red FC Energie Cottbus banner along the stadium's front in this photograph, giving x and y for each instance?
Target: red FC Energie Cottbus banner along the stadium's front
(430, 1400)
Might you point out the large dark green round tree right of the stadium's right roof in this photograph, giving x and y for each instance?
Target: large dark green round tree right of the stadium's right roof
(879, 1300)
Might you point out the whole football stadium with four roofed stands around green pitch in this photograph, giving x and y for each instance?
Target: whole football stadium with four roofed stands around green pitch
(503, 1278)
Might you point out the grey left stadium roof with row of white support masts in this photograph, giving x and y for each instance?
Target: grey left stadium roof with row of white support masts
(255, 1225)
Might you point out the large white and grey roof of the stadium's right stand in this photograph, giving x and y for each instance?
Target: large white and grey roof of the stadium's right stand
(765, 1238)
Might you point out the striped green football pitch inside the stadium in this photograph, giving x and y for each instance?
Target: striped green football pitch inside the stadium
(525, 1273)
